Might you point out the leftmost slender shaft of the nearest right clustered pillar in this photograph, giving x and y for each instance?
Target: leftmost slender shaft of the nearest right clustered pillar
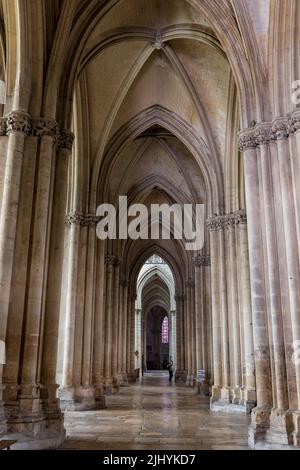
(260, 414)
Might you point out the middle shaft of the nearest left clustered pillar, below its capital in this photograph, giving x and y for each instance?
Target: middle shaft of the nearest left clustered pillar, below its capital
(29, 395)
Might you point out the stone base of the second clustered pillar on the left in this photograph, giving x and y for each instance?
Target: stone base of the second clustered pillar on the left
(79, 399)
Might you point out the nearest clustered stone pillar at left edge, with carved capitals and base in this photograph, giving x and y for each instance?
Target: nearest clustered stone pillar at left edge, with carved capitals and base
(37, 158)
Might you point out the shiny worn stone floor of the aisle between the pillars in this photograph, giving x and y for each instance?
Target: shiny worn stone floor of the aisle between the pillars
(155, 415)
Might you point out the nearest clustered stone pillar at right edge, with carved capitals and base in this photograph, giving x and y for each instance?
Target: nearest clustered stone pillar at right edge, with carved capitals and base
(271, 154)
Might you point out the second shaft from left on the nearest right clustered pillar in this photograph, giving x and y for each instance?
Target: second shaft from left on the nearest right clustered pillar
(278, 417)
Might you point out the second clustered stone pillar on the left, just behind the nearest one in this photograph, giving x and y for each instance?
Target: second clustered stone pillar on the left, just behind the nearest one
(76, 332)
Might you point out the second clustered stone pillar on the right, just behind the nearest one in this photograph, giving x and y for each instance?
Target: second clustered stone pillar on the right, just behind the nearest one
(233, 349)
